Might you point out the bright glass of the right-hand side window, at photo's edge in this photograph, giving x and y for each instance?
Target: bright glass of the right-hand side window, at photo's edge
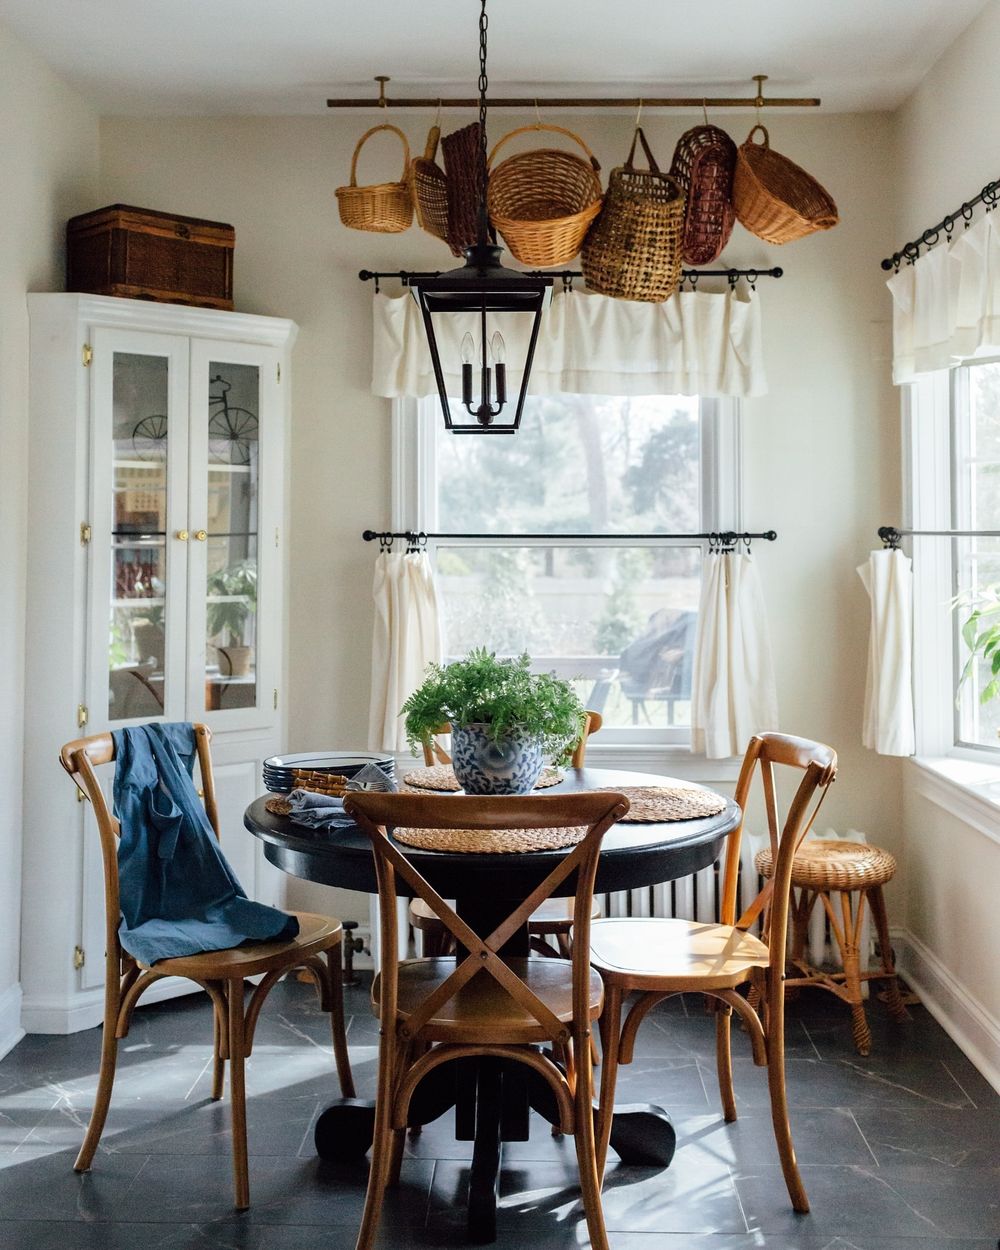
(978, 496)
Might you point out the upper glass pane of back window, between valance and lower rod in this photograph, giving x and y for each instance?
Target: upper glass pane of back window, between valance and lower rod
(579, 464)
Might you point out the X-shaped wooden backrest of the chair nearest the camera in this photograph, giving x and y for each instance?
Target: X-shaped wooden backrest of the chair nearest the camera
(379, 813)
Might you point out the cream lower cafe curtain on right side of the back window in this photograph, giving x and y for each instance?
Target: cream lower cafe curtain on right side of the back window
(733, 687)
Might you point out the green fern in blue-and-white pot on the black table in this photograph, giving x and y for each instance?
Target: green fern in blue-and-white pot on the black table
(506, 719)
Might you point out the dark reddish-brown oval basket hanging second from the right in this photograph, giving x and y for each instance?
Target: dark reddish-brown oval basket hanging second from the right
(703, 167)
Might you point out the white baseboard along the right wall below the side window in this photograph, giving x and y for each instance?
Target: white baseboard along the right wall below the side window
(952, 1004)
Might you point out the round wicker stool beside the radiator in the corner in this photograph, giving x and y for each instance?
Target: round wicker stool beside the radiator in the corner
(826, 868)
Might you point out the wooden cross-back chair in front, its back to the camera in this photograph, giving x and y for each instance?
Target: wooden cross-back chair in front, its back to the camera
(478, 1003)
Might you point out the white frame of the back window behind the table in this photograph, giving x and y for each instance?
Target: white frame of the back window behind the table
(414, 508)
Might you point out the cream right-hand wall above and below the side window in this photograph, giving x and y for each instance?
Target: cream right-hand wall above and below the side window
(948, 142)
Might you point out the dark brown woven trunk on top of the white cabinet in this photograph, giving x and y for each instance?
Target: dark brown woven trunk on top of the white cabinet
(149, 256)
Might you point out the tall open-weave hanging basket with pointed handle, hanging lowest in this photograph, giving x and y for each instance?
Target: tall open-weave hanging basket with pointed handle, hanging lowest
(633, 249)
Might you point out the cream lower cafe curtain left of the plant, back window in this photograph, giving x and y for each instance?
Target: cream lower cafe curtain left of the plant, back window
(407, 639)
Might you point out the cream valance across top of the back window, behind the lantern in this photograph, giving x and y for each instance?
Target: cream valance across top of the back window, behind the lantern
(693, 344)
